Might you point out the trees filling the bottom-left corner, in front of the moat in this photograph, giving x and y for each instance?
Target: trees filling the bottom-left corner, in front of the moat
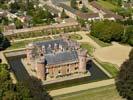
(31, 89)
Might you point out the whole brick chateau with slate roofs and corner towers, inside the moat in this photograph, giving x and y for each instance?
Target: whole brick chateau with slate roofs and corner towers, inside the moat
(56, 58)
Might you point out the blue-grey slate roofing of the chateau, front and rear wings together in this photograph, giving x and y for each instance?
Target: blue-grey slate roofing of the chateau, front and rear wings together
(60, 57)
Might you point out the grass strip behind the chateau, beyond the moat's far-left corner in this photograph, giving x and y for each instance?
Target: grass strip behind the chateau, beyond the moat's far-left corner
(22, 44)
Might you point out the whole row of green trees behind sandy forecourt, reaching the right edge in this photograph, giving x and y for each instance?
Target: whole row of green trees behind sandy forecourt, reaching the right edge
(109, 31)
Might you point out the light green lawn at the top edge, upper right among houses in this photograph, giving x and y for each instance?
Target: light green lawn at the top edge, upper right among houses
(107, 5)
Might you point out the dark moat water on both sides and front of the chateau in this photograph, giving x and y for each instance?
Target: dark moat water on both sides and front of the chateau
(22, 75)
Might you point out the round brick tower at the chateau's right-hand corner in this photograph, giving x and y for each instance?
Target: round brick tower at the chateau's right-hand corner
(82, 55)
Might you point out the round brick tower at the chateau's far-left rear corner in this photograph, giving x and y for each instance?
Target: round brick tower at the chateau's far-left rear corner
(29, 53)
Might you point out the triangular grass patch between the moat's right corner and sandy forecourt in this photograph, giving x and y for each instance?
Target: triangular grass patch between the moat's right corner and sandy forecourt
(111, 68)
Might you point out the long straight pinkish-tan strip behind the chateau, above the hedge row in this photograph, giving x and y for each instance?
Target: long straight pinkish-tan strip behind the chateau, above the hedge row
(10, 32)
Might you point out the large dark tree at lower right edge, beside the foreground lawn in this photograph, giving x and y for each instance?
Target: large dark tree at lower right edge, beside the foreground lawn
(124, 80)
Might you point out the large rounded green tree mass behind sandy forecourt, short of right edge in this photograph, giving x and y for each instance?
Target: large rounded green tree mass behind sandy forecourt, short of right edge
(107, 31)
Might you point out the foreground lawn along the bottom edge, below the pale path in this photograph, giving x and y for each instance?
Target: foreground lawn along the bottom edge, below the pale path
(102, 93)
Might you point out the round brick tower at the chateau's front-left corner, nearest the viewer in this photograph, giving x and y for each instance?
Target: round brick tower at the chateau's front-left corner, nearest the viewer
(40, 68)
